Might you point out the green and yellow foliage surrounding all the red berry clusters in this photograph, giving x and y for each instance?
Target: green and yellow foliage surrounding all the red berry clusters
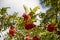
(49, 17)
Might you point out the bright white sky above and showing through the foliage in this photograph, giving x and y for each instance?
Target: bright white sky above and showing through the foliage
(17, 6)
